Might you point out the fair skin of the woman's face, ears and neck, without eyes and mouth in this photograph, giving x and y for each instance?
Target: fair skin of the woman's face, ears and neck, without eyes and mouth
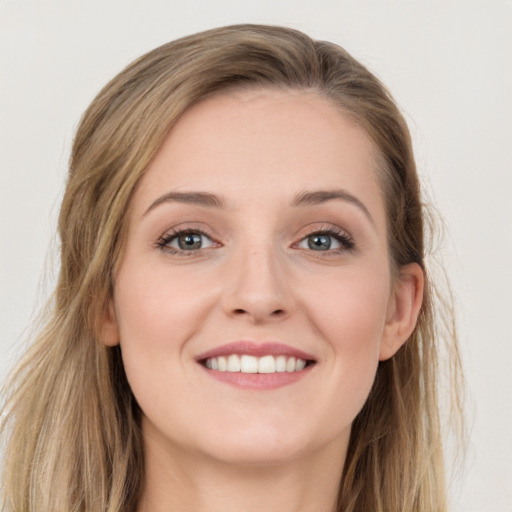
(210, 445)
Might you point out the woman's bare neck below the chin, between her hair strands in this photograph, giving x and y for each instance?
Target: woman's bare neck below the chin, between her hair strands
(192, 482)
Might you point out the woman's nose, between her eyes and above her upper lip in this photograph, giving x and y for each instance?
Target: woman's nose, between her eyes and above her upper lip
(257, 288)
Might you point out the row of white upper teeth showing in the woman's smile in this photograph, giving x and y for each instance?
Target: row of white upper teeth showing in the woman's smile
(252, 364)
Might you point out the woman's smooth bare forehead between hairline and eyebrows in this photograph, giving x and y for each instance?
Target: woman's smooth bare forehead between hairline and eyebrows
(264, 144)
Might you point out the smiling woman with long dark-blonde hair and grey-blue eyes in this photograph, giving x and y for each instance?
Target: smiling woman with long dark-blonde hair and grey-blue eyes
(243, 319)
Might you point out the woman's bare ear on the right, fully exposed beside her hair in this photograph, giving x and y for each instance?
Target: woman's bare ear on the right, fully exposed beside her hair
(403, 309)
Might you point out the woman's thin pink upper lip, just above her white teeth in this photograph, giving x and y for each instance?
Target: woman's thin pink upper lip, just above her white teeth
(252, 348)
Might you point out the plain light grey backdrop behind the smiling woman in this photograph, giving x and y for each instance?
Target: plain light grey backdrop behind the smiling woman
(448, 63)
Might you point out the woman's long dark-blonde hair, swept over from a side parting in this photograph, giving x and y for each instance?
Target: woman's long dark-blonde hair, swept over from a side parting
(71, 425)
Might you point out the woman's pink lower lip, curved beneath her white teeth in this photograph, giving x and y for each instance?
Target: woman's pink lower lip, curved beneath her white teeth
(258, 381)
